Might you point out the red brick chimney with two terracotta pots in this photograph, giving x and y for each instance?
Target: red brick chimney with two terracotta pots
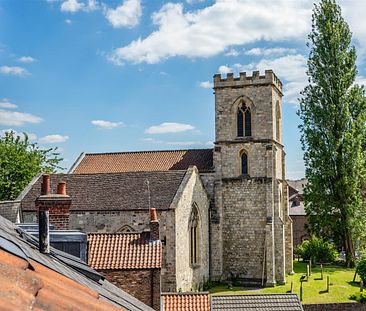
(57, 205)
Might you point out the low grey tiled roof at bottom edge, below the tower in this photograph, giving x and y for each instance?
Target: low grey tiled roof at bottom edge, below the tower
(260, 302)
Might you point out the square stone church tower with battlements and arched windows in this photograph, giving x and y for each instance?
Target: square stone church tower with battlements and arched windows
(251, 232)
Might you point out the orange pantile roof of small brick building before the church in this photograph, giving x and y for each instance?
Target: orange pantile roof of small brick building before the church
(123, 251)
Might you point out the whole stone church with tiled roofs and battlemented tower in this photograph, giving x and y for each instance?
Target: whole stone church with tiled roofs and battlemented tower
(223, 212)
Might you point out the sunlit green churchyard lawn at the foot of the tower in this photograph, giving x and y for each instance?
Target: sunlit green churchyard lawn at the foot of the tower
(314, 290)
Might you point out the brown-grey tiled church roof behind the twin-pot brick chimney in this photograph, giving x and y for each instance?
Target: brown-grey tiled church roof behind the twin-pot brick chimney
(116, 191)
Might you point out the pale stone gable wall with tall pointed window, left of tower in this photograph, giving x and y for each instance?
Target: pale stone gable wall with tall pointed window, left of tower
(191, 277)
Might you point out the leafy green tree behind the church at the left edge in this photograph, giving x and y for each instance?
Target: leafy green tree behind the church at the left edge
(20, 161)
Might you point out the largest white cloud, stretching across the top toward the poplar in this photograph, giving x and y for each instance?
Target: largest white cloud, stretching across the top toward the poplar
(213, 29)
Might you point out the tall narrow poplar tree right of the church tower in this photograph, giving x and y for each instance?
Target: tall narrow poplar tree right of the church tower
(333, 114)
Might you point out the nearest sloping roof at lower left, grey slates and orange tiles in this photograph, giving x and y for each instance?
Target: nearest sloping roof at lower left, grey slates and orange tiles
(57, 281)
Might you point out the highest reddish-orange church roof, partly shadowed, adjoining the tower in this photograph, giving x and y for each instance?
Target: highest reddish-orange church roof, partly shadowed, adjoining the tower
(164, 160)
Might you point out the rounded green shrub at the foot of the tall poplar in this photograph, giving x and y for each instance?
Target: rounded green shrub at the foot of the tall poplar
(317, 250)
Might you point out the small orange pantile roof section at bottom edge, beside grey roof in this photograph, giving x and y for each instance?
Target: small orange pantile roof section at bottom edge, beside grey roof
(186, 301)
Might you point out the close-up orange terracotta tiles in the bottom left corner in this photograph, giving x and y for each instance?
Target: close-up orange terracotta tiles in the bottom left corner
(27, 285)
